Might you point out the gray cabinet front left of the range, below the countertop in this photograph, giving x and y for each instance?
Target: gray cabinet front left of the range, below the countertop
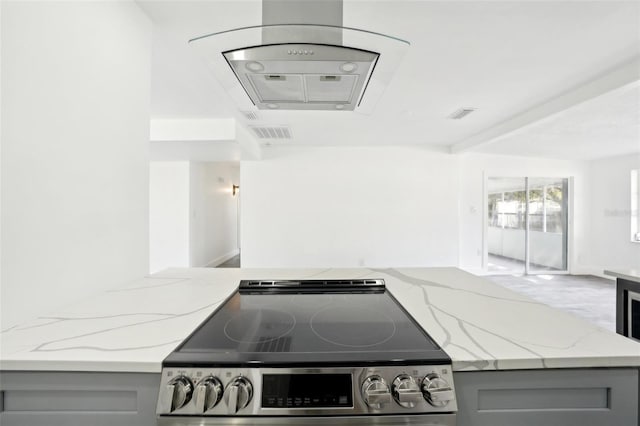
(32, 398)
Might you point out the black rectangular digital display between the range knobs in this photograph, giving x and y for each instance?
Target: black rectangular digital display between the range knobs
(306, 391)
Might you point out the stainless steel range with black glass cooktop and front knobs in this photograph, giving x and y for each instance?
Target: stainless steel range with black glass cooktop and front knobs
(308, 352)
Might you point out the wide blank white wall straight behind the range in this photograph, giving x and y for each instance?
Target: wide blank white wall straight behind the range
(345, 207)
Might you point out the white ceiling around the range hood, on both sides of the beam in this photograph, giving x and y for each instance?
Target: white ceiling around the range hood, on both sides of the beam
(502, 58)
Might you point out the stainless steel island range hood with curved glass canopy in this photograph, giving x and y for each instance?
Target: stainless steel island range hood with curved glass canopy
(302, 58)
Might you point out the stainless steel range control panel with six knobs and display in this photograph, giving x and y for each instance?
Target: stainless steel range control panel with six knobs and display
(306, 391)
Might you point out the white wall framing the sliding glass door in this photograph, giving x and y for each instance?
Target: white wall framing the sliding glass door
(474, 168)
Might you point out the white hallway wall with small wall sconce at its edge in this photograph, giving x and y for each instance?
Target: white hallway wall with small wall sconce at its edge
(214, 212)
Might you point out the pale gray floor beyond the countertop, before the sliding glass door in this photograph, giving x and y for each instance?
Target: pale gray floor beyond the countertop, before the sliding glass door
(586, 296)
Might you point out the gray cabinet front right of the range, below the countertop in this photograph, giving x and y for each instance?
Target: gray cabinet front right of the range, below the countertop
(580, 397)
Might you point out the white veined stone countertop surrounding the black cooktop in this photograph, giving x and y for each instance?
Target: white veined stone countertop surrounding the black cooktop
(481, 325)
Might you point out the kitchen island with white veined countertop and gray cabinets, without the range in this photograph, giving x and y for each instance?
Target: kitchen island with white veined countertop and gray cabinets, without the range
(515, 360)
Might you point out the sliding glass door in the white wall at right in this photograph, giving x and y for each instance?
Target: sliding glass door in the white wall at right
(526, 225)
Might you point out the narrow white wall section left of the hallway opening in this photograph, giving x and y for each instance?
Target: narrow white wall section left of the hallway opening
(169, 212)
